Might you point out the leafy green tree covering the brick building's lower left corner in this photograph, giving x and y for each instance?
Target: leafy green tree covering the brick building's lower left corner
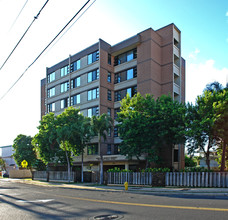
(45, 141)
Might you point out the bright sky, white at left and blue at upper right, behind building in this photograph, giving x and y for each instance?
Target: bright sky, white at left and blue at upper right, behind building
(204, 40)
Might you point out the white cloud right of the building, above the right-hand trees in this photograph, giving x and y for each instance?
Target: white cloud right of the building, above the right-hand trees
(199, 75)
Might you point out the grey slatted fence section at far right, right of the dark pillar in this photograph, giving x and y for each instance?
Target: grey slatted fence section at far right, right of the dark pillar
(197, 179)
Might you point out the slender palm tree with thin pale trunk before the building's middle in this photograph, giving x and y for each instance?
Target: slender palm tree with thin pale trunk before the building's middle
(101, 125)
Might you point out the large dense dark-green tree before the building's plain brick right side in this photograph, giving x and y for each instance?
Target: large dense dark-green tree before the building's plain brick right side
(149, 126)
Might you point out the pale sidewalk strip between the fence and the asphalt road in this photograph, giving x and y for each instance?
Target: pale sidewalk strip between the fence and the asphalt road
(135, 189)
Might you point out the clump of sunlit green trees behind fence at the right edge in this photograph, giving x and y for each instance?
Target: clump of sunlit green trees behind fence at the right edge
(207, 122)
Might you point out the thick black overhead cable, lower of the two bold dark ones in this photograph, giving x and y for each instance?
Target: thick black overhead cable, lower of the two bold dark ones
(45, 49)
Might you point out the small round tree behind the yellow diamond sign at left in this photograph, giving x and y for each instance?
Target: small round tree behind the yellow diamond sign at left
(24, 150)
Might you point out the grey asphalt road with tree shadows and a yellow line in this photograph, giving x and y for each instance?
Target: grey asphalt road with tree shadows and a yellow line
(24, 201)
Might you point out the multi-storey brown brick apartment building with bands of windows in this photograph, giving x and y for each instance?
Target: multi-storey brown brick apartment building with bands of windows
(98, 77)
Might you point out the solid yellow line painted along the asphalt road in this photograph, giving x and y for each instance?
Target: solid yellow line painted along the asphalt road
(146, 205)
